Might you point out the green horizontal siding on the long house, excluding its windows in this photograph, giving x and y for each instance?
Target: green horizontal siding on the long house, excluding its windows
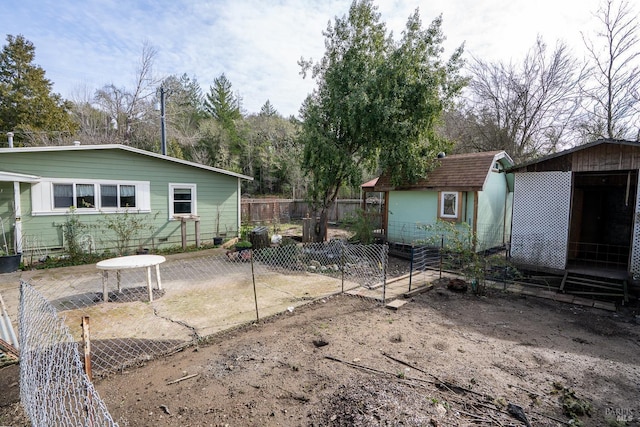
(44, 232)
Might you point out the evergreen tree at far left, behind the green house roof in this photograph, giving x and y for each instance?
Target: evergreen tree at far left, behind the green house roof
(27, 104)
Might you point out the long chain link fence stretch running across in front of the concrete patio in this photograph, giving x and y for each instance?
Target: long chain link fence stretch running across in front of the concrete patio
(202, 294)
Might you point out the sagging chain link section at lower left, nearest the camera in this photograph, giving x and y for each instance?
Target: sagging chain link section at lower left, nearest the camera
(54, 389)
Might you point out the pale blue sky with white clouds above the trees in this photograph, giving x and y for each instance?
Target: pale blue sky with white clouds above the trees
(85, 45)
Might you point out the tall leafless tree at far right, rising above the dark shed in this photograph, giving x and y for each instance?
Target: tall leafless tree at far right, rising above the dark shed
(612, 90)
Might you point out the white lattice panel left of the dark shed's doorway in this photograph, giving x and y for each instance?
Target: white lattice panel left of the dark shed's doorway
(540, 222)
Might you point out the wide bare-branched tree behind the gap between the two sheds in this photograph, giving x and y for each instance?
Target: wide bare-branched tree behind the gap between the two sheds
(525, 110)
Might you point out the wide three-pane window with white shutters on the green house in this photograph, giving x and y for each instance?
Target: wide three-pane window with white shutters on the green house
(56, 196)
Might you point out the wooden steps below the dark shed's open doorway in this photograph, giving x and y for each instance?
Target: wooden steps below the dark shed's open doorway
(588, 285)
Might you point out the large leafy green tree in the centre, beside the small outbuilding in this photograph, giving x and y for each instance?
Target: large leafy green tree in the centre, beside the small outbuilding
(377, 103)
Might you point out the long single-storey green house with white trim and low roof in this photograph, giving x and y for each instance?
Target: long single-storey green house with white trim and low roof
(40, 187)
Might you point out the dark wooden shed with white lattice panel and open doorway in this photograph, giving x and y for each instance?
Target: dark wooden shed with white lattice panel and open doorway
(577, 211)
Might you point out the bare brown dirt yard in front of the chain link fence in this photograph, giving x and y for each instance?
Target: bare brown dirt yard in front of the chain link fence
(443, 359)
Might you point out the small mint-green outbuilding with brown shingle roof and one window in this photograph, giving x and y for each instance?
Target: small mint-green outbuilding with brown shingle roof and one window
(467, 188)
